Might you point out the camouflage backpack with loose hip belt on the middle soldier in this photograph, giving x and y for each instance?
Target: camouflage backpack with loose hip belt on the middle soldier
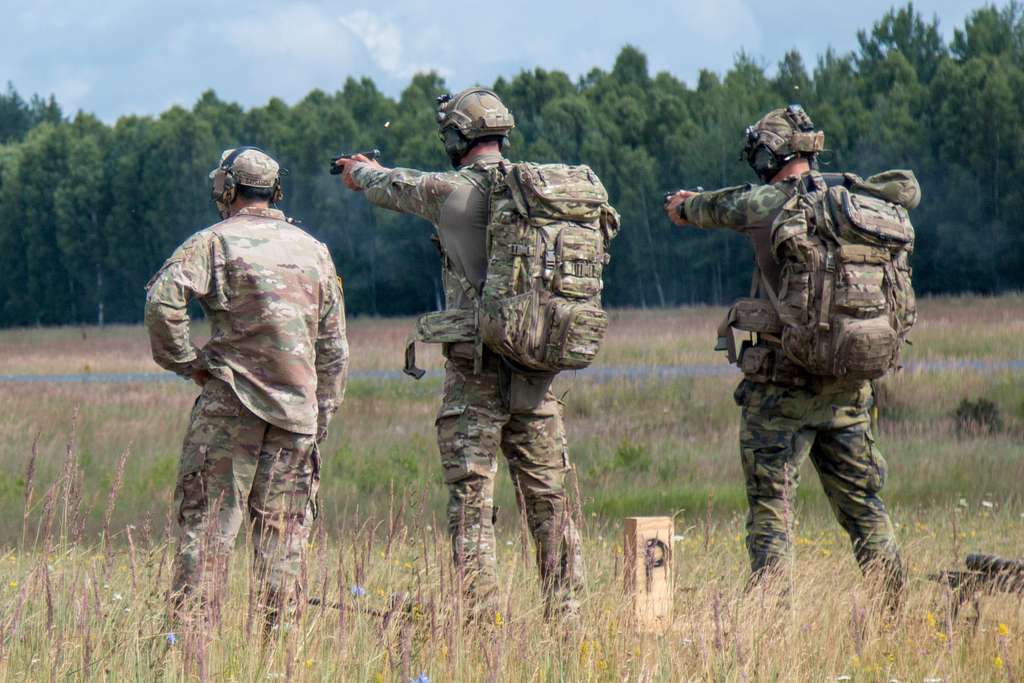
(540, 308)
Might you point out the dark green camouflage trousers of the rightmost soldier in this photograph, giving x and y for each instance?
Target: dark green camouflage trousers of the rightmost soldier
(781, 426)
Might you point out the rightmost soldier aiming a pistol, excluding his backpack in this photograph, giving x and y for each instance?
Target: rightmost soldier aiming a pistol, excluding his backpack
(788, 413)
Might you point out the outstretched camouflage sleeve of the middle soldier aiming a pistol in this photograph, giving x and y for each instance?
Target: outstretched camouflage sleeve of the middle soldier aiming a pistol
(407, 190)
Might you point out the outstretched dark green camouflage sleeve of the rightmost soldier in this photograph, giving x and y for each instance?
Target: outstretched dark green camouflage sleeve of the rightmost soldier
(739, 208)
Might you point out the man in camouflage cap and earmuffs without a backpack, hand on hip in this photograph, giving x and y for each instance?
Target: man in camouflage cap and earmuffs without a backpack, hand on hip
(273, 375)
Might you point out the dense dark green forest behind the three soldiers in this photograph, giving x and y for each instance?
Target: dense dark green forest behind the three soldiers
(89, 211)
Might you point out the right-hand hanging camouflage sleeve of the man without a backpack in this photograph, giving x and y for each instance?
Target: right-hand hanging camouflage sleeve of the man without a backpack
(332, 349)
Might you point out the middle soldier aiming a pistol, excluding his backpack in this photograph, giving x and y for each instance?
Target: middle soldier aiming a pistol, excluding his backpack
(500, 407)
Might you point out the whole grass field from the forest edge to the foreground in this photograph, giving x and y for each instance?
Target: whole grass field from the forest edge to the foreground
(72, 608)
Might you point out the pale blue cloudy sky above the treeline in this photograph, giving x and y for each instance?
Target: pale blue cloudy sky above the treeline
(115, 58)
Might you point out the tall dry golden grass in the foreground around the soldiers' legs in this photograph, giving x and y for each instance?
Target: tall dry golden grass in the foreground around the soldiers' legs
(388, 610)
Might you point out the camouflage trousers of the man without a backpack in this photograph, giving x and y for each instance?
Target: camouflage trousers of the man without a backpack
(236, 466)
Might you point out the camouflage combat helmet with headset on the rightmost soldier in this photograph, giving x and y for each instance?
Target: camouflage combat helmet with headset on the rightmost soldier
(778, 138)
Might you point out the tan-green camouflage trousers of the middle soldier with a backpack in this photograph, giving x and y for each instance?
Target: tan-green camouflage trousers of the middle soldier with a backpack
(474, 423)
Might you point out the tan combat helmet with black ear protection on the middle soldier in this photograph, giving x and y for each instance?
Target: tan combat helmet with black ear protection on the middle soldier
(468, 116)
